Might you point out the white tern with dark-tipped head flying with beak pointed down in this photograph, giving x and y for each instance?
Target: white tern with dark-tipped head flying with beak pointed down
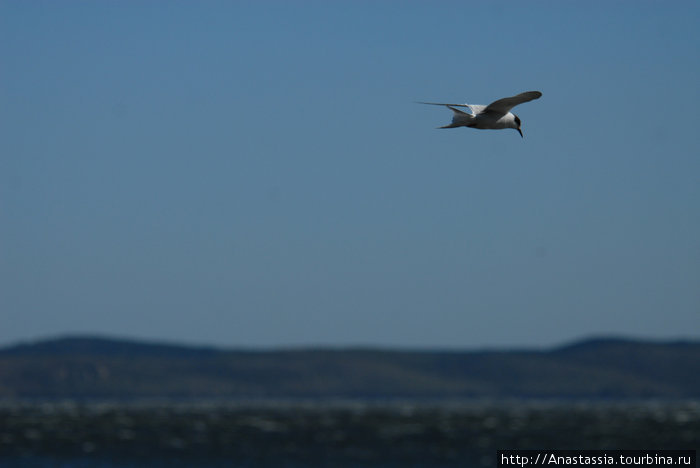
(495, 116)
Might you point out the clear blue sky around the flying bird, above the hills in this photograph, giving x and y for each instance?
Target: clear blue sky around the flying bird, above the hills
(258, 173)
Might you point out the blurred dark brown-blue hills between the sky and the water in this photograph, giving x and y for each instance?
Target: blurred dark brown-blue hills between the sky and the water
(90, 367)
